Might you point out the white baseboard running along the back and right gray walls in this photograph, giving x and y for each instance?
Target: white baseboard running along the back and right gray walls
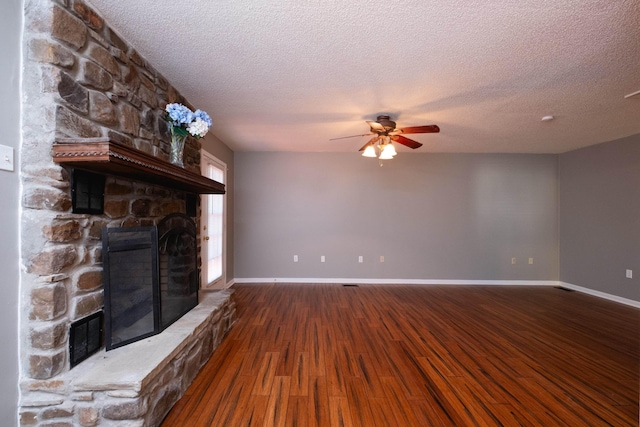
(599, 294)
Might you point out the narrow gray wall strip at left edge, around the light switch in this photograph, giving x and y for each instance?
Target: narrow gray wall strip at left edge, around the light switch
(10, 33)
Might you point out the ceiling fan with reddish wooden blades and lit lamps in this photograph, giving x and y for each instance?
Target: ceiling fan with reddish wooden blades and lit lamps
(385, 132)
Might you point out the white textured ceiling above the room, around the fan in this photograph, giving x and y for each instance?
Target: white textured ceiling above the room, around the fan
(290, 75)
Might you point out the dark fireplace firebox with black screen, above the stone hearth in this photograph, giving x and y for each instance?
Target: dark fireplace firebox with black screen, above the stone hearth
(150, 278)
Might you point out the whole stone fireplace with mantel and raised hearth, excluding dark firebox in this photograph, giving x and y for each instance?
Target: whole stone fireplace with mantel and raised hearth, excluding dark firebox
(83, 81)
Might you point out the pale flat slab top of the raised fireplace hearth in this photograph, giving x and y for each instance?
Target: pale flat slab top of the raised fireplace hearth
(132, 368)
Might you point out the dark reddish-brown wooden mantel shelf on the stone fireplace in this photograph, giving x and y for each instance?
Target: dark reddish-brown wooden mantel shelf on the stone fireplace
(102, 155)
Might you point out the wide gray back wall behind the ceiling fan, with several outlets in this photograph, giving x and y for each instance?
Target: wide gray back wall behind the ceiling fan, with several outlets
(432, 216)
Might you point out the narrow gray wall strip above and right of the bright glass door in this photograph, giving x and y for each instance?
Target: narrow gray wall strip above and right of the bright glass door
(219, 150)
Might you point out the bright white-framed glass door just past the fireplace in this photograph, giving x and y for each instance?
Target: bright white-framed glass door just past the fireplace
(213, 225)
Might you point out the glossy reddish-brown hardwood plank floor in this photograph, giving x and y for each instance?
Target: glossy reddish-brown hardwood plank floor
(397, 355)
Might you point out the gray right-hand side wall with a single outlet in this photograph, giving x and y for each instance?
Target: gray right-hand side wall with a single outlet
(599, 195)
